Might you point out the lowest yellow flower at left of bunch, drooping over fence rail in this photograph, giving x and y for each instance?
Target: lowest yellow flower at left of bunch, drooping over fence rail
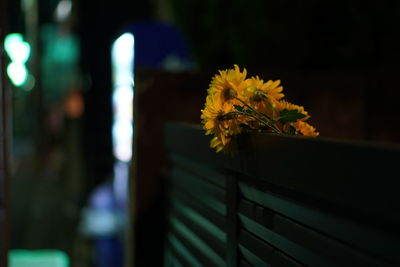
(218, 118)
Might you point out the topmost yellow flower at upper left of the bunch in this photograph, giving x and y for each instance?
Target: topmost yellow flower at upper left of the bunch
(228, 84)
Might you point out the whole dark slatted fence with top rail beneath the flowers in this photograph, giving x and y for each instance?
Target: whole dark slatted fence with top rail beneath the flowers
(234, 211)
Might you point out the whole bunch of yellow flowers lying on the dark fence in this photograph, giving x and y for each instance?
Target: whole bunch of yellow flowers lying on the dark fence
(236, 104)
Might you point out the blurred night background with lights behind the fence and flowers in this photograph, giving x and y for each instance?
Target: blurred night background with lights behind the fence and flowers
(85, 183)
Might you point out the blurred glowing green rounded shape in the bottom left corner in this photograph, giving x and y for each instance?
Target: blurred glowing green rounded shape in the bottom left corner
(37, 258)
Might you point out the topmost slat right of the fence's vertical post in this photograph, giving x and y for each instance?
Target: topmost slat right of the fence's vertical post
(368, 240)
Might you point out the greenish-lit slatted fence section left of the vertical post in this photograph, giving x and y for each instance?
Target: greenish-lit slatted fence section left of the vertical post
(196, 215)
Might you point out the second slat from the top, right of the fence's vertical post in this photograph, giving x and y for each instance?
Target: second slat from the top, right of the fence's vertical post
(301, 242)
